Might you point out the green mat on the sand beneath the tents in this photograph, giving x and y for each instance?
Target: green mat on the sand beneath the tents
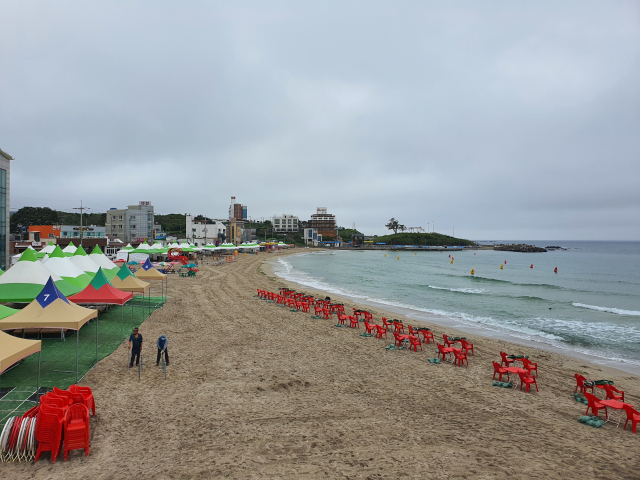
(58, 358)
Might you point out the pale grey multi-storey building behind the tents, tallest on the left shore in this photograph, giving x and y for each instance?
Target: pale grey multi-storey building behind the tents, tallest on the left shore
(132, 224)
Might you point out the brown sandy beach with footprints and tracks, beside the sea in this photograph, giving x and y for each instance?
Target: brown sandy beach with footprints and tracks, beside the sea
(257, 391)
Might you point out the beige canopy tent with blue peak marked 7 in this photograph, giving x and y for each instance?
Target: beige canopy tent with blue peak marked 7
(51, 309)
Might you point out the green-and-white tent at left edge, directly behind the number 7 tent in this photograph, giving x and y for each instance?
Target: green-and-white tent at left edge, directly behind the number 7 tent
(23, 282)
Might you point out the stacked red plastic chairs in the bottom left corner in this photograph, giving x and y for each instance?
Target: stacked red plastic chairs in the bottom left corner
(63, 420)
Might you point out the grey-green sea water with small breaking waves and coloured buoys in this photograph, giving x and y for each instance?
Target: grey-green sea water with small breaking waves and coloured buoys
(591, 306)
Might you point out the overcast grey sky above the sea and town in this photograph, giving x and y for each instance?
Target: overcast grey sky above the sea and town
(509, 120)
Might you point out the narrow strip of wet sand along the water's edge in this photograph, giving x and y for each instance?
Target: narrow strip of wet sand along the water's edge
(617, 367)
